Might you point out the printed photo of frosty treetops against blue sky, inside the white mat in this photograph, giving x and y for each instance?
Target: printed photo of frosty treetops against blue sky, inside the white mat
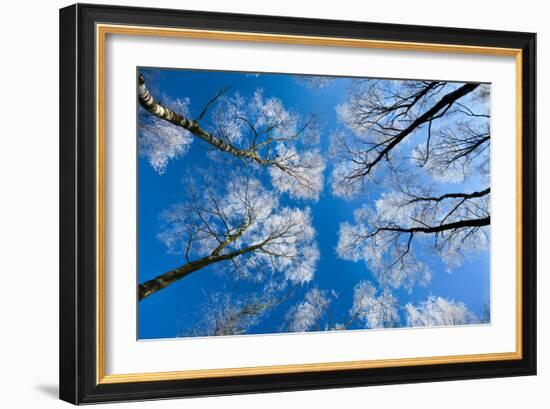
(286, 203)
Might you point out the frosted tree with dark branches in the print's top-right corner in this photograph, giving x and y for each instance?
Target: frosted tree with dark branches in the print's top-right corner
(449, 122)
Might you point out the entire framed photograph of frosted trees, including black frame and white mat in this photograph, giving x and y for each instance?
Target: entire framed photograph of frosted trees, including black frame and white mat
(257, 203)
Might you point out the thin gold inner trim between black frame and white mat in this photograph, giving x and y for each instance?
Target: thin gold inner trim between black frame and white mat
(102, 30)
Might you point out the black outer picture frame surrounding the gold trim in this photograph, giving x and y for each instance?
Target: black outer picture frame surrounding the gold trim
(78, 150)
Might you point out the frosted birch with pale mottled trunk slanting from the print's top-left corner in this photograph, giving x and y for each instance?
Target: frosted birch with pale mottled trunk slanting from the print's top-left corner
(272, 143)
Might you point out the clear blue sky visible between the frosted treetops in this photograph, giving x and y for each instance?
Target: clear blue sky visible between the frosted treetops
(178, 307)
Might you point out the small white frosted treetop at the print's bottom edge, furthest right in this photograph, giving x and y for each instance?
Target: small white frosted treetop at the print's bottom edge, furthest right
(438, 311)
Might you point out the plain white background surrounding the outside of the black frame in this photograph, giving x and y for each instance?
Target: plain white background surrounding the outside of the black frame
(29, 203)
